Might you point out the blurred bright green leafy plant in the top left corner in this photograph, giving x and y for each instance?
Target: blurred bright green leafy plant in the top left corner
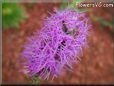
(12, 15)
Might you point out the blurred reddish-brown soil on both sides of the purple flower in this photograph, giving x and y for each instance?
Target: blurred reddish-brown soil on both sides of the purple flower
(96, 65)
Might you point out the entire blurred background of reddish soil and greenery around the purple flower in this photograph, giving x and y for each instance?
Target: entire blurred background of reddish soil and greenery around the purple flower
(20, 20)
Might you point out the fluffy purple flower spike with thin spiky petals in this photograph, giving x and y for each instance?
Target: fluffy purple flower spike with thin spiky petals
(58, 45)
